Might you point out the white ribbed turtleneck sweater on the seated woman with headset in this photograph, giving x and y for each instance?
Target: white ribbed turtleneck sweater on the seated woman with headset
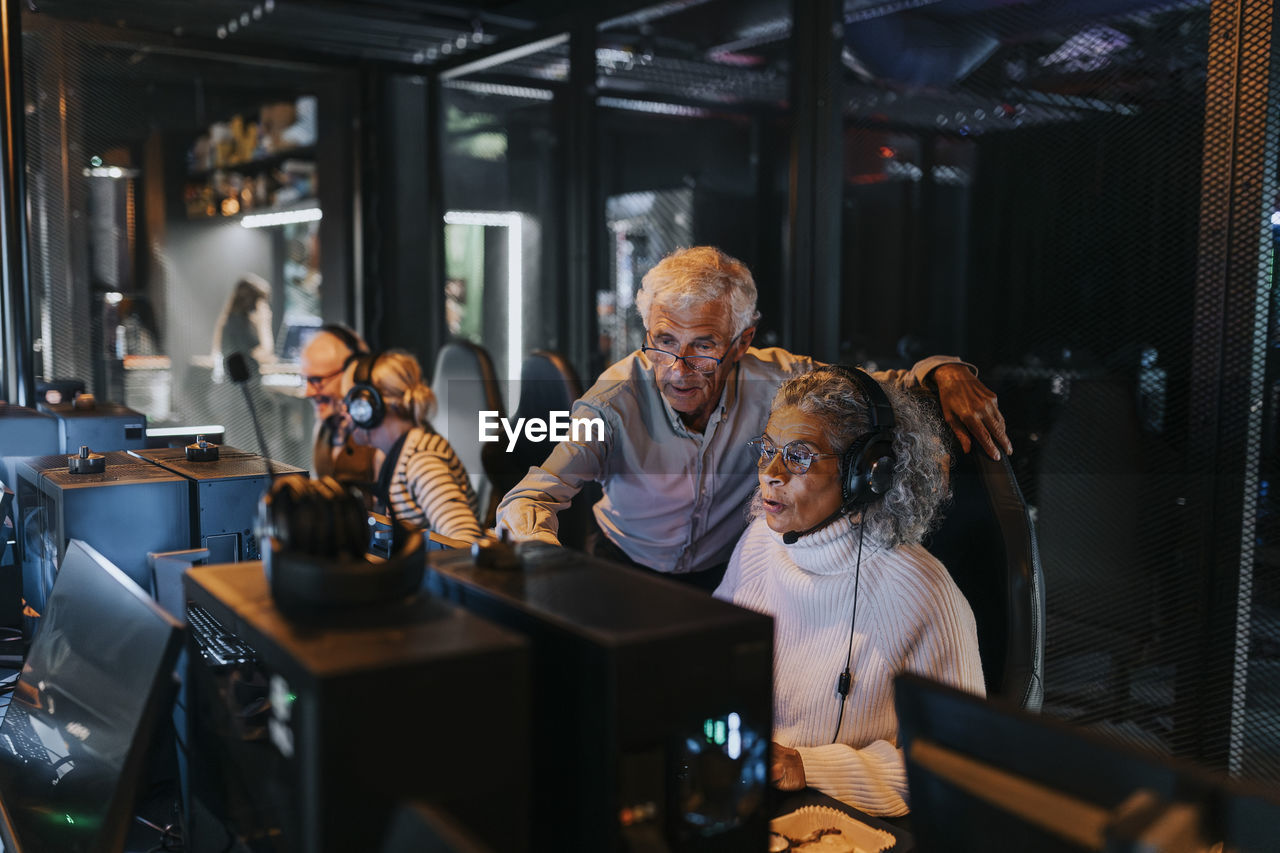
(911, 619)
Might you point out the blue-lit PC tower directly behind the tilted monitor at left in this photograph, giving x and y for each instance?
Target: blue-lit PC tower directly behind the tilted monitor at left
(131, 509)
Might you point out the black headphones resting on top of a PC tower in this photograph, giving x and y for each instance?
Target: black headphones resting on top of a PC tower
(317, 537)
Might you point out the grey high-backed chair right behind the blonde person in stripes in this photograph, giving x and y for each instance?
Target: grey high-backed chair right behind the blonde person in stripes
(465, 385)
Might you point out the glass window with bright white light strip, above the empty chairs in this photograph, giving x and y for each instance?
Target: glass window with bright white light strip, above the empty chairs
(502, 159)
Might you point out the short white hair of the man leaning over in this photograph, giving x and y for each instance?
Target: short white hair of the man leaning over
(689, 277)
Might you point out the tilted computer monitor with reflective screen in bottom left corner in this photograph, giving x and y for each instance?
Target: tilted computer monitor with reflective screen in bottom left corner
(89, 703)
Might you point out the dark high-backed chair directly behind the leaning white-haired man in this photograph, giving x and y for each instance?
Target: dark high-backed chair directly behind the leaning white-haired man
(547, 384)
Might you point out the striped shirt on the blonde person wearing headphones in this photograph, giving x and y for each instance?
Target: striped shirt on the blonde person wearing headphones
(431, 490)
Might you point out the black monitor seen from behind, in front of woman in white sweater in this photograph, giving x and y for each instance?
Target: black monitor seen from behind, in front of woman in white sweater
(985, 776)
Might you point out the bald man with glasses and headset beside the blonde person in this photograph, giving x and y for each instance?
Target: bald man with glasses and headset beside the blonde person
(323, 361)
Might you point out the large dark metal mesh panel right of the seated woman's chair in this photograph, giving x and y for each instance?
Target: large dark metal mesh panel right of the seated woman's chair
(1045, 193)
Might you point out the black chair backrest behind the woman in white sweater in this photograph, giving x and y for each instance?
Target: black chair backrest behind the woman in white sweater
(988, 542)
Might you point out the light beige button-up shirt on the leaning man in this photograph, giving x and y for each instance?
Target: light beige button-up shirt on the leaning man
(674, 500)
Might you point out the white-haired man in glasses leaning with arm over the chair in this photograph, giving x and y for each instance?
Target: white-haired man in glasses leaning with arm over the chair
(674, 462)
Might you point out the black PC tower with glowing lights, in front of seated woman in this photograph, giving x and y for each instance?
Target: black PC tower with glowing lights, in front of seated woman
(652, 701)
